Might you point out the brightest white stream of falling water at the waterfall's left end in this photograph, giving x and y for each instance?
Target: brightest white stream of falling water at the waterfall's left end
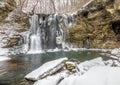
(35, 35)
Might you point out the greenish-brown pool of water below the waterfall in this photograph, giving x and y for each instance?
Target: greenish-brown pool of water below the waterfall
(12, 72)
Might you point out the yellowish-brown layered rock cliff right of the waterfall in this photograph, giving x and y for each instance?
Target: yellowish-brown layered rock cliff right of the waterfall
(98, 27)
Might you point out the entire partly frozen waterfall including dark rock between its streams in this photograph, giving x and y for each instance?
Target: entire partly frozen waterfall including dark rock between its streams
(48, 31)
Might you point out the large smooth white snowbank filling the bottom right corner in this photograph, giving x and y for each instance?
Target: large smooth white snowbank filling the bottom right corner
(96, 76)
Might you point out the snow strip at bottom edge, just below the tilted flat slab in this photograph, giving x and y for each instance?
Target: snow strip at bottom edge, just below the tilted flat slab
(52, 80)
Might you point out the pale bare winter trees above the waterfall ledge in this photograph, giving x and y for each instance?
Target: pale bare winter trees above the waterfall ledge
(52, 6)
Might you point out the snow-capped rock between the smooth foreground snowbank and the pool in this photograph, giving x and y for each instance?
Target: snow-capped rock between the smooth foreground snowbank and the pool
(85, 66)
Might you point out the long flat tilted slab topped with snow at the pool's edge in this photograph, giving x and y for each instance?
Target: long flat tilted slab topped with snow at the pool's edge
(46, 69)
